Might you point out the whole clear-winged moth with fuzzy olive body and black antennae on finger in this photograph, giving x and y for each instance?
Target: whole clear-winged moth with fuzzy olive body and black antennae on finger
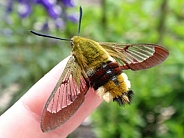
(97, 65)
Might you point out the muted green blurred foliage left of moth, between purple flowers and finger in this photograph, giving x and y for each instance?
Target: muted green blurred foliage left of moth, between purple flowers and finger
(24, 57)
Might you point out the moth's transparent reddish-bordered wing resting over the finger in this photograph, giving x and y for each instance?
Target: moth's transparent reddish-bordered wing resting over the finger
(66, 98)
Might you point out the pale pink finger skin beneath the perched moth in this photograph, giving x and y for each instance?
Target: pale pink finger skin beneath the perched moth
(23, 118)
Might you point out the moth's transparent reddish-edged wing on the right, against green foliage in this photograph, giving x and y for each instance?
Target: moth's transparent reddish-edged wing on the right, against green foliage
(136, 56)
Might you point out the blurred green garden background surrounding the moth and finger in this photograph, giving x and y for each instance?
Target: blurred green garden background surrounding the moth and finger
(157, 109)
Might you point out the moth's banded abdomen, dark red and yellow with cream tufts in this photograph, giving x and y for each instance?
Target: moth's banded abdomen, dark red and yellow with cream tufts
(111, 83)
